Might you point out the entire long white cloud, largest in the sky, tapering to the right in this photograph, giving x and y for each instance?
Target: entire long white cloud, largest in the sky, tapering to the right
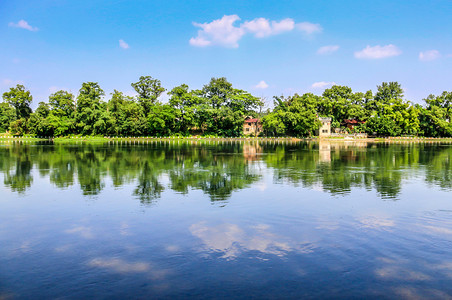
(225, 32)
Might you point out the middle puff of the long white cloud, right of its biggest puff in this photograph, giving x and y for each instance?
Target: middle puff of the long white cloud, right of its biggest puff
(262, 27)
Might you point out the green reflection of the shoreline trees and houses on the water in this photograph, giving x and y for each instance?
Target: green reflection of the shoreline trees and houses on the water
(218, 168)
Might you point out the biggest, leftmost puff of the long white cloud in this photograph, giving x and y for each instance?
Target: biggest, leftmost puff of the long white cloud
(218, 32)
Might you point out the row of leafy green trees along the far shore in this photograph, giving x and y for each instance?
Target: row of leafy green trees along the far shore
(220, 109)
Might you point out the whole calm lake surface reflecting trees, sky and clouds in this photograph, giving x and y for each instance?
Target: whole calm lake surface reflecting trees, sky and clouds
(225, 219)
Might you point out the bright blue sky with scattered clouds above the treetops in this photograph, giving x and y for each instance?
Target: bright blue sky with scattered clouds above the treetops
(266, 47)
